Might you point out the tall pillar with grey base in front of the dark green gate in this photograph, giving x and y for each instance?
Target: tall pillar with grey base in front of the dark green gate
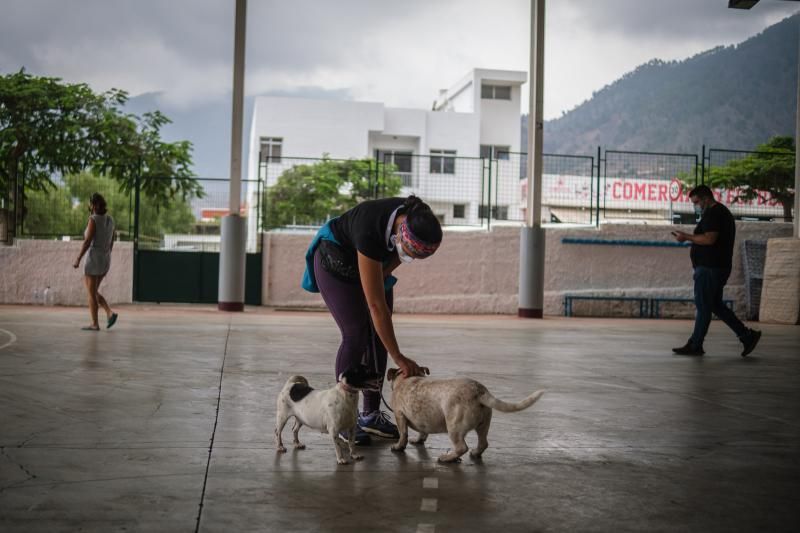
(233, 238)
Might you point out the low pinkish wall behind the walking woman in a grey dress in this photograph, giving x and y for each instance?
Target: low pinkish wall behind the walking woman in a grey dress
(32, 265)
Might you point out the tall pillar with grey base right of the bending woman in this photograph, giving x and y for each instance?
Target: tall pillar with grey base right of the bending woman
(532, 235)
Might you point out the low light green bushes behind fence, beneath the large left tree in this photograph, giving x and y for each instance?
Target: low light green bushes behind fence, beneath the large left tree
(64, 210)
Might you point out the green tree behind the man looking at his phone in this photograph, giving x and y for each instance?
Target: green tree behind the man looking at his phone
(766, 174)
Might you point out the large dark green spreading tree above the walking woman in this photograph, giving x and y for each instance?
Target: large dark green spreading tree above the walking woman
(51, 129)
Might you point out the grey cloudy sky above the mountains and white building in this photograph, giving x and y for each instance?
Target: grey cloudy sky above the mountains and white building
(399, 53)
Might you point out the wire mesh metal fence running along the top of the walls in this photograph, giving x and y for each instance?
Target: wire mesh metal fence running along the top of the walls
(292, 192)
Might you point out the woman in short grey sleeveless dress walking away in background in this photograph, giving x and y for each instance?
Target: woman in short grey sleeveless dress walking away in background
(98, 241)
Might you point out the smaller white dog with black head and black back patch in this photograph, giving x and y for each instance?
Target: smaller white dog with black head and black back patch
(330, 411)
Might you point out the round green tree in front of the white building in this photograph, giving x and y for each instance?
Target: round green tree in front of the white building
(313, 193)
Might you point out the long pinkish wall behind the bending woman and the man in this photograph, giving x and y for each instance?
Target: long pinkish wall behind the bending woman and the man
(478, 272)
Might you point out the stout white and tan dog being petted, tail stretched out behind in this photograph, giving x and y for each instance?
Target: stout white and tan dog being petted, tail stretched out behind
(452, 406)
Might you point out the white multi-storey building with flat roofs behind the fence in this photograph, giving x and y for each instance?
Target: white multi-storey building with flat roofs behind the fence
(437, 152)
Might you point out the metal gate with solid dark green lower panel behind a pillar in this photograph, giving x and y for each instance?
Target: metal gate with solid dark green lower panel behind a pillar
(176, 249)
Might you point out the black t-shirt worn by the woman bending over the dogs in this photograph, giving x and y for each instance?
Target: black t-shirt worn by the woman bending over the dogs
(363, 228)
